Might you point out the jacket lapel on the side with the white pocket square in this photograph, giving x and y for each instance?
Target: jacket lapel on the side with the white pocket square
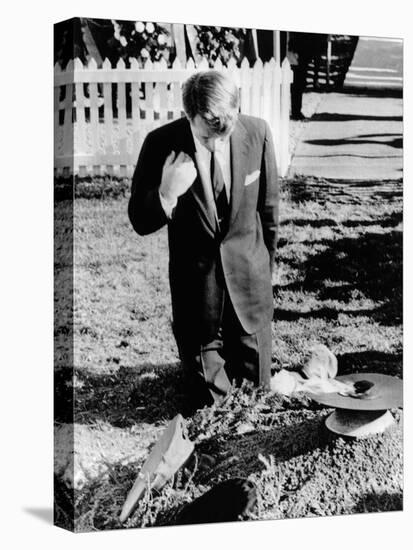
(239, 154)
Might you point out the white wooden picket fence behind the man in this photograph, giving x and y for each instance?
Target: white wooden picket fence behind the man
(102, 115)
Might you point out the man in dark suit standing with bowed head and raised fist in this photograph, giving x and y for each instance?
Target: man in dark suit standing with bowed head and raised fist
(212, 177)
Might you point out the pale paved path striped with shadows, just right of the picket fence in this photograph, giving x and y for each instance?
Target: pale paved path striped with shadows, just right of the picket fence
(352, 137)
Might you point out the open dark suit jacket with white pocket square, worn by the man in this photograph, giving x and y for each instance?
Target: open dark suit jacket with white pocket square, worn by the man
(201, 260)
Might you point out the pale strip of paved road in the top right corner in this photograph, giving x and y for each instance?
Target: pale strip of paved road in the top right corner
(377, 63)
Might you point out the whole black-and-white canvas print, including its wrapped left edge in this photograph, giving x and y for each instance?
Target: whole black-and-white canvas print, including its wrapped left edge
(228, 217)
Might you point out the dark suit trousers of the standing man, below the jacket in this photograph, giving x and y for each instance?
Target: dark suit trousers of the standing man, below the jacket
(231, 356)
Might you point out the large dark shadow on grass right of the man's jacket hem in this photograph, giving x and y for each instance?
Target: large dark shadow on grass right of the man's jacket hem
(366, 267)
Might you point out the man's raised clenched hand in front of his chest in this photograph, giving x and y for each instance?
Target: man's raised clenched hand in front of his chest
(178, 175)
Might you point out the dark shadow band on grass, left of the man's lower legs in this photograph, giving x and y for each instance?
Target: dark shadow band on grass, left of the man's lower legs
(121, 398)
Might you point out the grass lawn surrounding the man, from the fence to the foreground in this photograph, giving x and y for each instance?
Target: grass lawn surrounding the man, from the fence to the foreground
(338, 282)
